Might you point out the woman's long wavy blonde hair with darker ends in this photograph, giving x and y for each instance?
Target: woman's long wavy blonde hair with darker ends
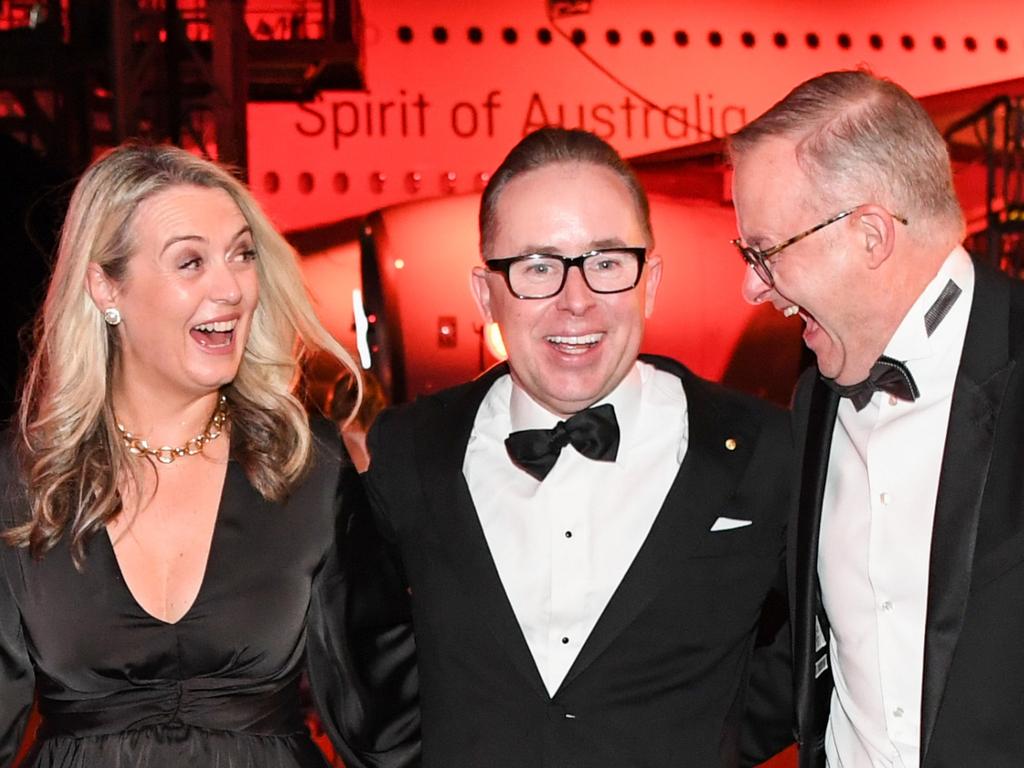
(73, 461)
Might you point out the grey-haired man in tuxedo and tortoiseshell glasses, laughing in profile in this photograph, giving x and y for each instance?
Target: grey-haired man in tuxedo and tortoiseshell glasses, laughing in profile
(907, 558)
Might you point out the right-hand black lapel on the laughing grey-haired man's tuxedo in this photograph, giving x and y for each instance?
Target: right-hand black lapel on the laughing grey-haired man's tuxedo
(982, 383)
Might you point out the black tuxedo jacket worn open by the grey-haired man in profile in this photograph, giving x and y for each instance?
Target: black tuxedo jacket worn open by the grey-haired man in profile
(973, 693)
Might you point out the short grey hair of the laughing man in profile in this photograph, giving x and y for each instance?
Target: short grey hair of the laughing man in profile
(862, 139)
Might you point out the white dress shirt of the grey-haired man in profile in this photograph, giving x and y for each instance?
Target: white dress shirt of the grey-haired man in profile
(877, 535)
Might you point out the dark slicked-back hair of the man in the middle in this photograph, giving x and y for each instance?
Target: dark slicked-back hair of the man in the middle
(554, 146)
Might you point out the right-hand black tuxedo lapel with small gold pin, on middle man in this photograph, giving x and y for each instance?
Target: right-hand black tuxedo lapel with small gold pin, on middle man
(709, 474)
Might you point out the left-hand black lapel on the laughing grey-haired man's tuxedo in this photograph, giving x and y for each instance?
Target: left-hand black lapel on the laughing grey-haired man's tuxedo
(814, 691)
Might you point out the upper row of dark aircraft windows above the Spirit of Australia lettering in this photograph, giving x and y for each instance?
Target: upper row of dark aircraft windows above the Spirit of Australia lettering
(681, 38)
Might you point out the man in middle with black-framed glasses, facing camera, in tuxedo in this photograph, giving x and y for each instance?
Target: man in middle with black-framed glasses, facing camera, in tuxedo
(589, 539)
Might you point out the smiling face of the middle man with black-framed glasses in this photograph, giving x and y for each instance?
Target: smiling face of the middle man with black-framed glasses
(570, 351)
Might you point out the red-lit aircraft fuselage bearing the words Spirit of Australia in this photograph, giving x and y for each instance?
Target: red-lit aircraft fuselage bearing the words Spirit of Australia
(456, 108)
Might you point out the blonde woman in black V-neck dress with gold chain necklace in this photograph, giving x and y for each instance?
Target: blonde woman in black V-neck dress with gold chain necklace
(167, 508)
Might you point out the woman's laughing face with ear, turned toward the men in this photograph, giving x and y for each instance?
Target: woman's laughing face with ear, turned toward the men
(188, 296)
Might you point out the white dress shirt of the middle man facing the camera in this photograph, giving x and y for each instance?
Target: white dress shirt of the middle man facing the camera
(562, 546)
